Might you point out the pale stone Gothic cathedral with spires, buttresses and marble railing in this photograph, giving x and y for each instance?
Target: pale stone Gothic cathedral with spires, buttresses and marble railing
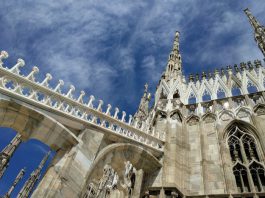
(203, 137)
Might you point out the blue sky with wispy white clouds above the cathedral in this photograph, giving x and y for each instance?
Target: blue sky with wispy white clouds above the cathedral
(111, 49)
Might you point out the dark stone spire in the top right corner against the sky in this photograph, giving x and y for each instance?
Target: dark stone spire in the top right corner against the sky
(259, 31)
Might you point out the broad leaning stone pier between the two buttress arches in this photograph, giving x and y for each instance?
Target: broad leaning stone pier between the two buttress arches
(66, 176)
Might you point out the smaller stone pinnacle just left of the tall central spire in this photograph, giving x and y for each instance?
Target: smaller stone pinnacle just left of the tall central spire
(143, 110)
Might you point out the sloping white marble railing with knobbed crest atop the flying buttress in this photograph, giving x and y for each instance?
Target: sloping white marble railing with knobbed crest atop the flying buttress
(40, 94)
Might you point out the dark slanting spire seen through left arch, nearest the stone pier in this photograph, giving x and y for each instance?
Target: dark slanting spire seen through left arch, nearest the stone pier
(34, 177)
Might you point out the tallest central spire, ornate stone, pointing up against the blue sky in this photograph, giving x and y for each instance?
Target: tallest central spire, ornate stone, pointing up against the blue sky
(174, 65)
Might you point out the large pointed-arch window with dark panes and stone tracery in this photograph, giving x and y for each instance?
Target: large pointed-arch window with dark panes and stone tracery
(246, 159)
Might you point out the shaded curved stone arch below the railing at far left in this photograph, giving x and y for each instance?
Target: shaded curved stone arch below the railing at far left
(31, 123)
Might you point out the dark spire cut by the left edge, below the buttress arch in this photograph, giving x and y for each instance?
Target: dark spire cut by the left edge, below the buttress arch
(7, 152)
